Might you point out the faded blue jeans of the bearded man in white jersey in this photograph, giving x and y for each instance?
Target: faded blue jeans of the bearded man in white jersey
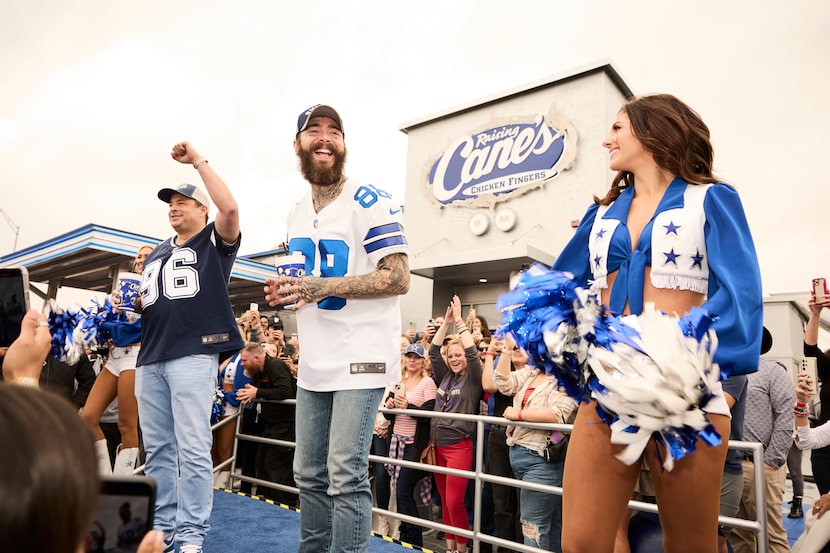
(331, 467)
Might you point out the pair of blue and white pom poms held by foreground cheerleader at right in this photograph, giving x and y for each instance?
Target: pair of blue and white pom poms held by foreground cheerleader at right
(650, 374)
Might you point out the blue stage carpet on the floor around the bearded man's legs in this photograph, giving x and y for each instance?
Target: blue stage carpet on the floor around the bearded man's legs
(243, 523)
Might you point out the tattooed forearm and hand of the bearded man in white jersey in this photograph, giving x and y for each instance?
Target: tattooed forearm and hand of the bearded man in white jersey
(390, 279)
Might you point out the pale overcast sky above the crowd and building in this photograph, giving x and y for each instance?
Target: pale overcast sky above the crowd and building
(95, 93)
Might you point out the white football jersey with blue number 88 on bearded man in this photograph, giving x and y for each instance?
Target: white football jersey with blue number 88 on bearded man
(348, 344)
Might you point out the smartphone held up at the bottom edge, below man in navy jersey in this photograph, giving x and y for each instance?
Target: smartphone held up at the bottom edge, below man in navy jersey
(123, 515)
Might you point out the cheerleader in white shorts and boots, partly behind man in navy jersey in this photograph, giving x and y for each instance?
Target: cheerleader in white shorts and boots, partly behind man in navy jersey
(117, 380)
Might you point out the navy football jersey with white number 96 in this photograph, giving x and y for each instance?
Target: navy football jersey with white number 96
(185, 305)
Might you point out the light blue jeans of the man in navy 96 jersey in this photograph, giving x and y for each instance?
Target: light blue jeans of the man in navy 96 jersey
(175, 398)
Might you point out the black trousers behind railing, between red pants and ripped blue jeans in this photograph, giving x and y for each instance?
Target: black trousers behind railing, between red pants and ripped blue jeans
(505, 498)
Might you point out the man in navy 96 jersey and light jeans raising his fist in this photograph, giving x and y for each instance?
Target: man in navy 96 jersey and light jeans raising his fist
(188, 327)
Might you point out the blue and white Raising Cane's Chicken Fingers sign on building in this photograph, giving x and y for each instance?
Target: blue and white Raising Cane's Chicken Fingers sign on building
(491, 165)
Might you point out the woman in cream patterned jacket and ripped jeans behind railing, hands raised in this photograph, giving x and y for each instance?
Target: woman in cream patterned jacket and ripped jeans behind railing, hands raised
(536, 398)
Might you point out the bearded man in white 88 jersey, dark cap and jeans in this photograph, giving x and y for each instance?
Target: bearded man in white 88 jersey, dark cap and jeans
(349, 325)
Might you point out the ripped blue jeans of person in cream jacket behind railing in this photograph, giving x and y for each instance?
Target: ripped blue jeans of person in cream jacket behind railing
(541, 511)
